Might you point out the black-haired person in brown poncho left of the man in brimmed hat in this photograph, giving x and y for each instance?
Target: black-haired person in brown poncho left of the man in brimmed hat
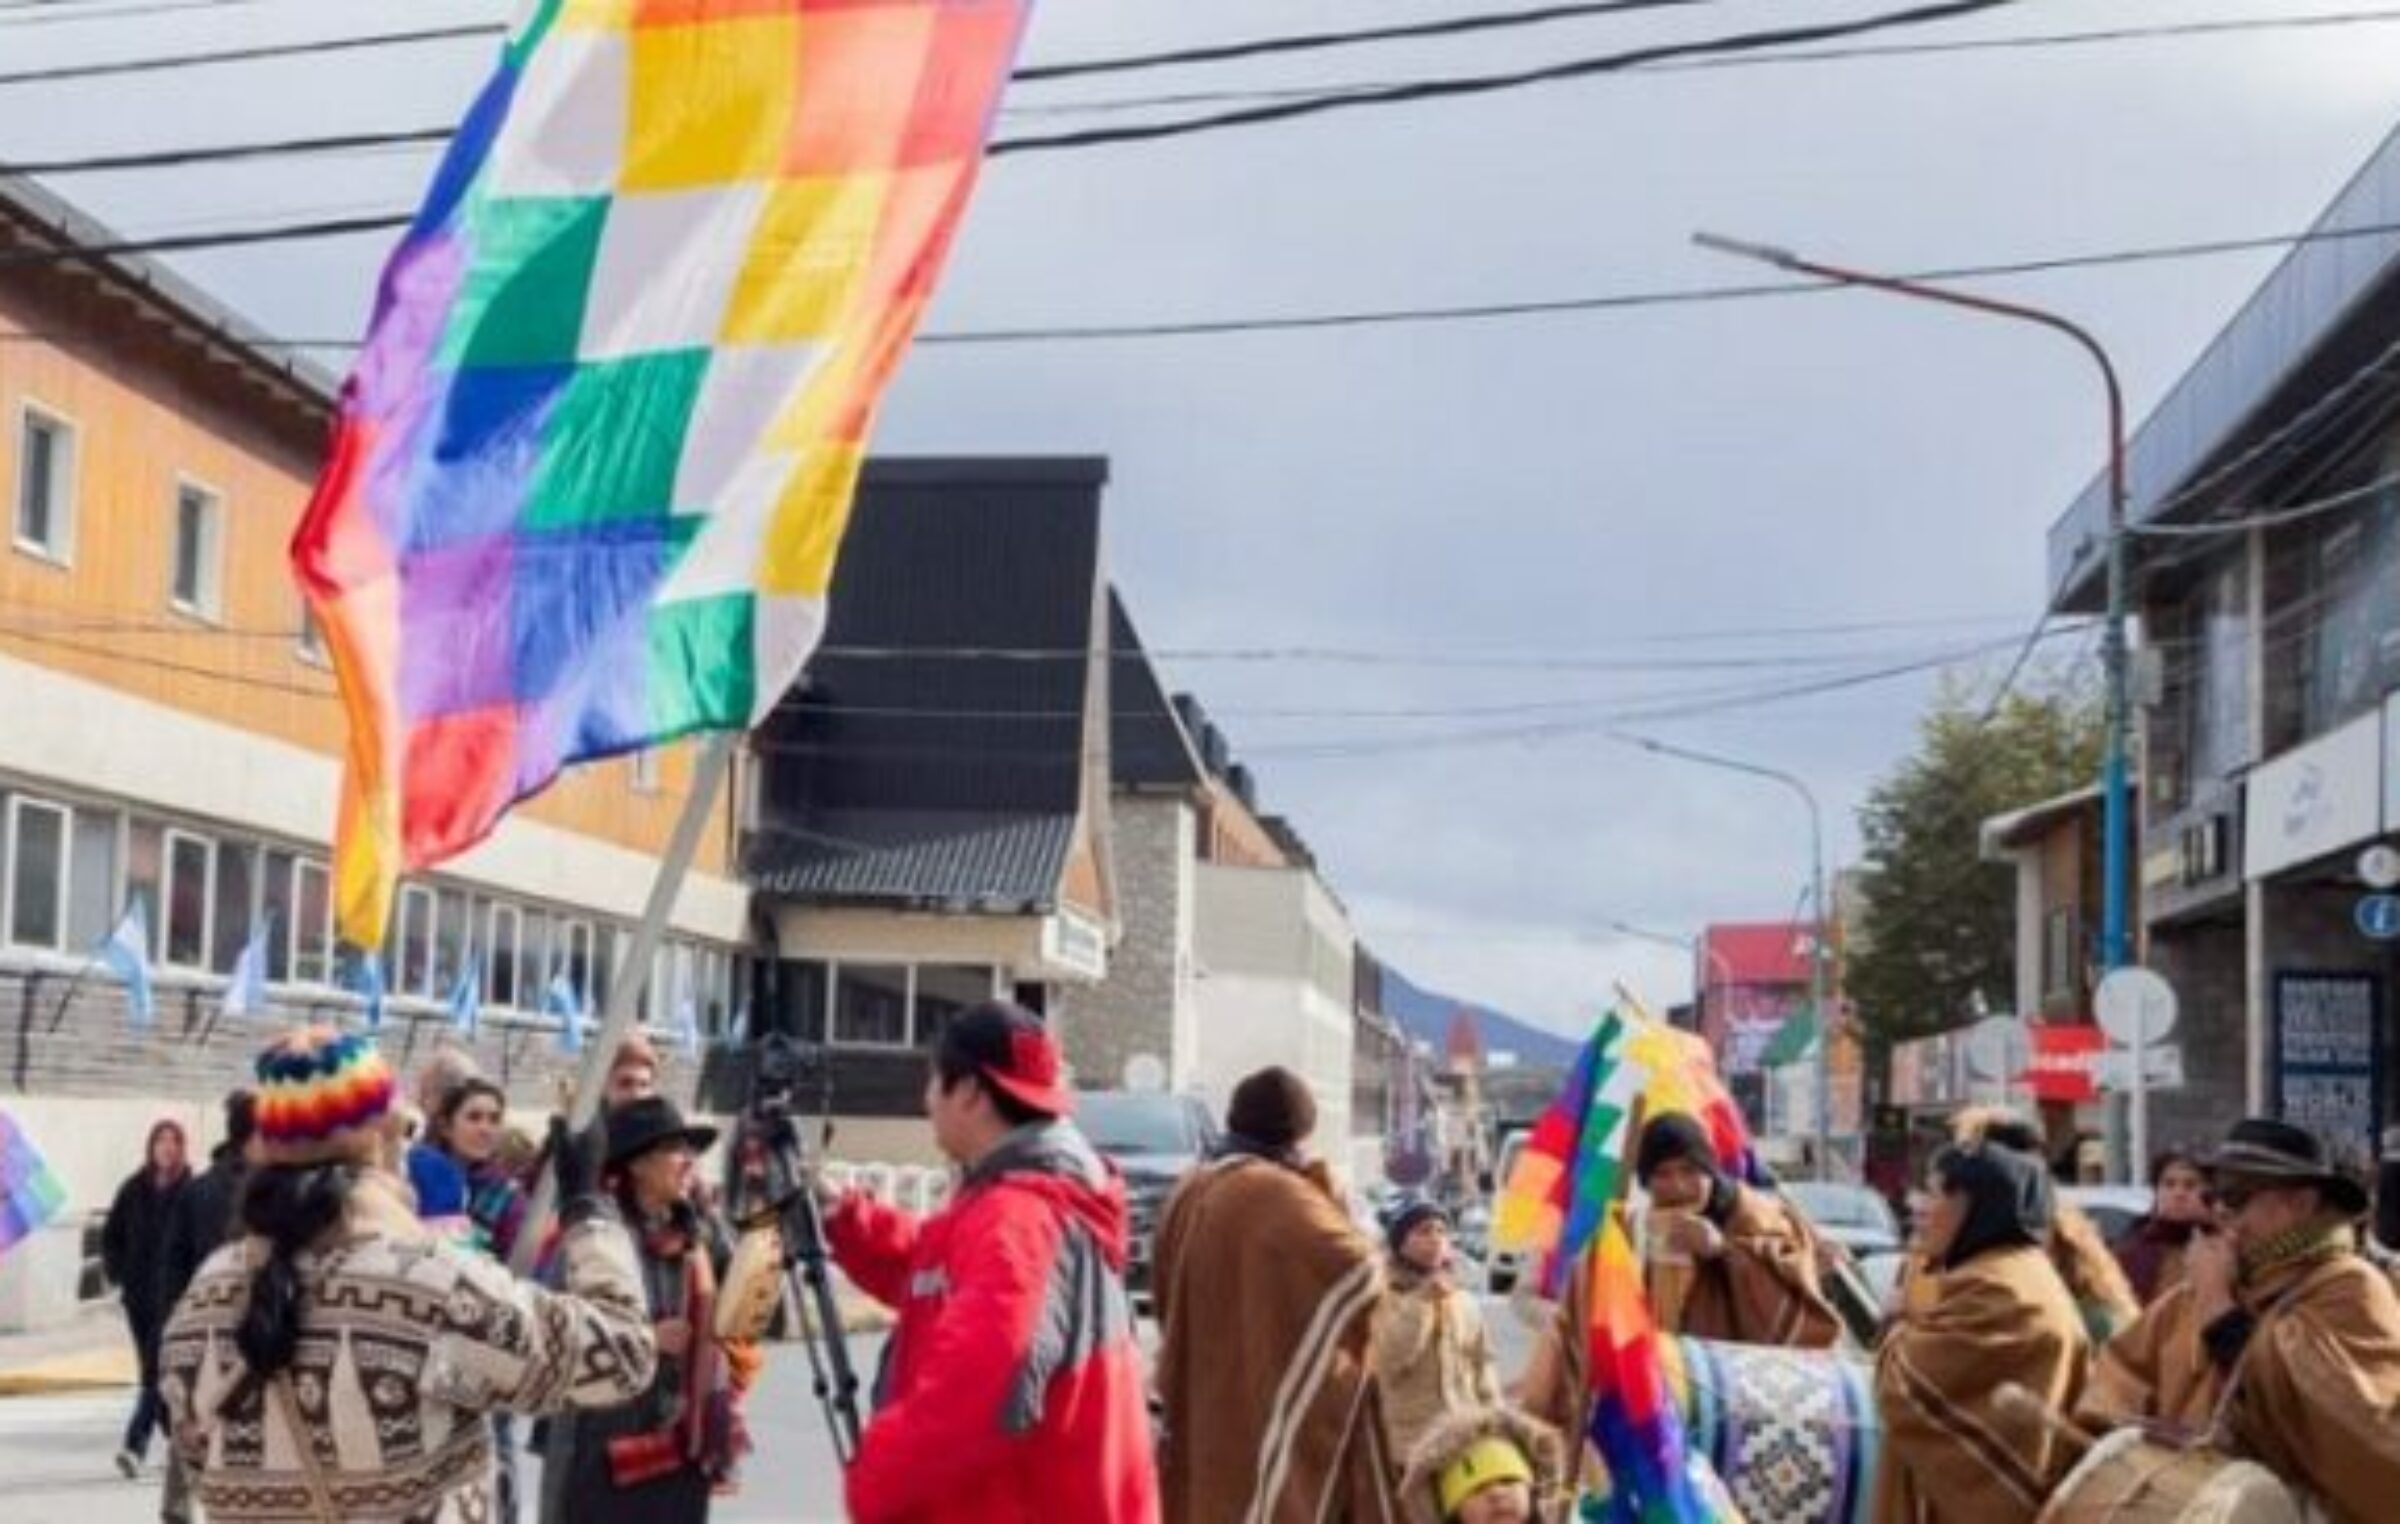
(1986, 1312)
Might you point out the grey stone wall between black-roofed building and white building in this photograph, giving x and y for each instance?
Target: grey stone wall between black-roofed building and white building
(1146, 1004)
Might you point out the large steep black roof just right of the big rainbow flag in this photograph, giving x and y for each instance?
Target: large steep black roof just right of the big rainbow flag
(935, 750)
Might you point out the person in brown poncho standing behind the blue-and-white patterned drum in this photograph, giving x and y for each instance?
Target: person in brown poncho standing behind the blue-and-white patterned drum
(1741, 1271)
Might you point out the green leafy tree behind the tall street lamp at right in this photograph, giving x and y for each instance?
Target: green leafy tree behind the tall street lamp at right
(1940, 923)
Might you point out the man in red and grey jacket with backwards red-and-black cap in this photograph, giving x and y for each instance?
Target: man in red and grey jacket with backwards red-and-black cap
(1014, 1386)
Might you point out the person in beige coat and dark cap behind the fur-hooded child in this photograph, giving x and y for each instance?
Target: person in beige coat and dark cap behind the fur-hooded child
(1434, 1357)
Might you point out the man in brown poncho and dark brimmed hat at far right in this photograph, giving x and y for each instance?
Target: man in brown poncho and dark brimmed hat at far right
(2284, 1343)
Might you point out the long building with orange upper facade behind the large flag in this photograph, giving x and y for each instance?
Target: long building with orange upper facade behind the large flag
(169, 736)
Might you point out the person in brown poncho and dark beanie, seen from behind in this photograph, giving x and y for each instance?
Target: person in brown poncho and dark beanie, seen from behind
(1266, 1297)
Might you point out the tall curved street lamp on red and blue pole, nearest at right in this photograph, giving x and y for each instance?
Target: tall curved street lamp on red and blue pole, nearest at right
(2116, 772)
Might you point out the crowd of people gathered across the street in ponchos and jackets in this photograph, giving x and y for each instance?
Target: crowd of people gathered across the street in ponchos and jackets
(330, 1326)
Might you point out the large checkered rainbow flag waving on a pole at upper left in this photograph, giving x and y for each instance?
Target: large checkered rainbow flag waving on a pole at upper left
(596, 457)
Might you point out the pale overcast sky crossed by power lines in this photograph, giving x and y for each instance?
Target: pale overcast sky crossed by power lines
(1614, 488)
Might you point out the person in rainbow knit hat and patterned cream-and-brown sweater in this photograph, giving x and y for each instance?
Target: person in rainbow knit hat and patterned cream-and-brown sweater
(337, 1360)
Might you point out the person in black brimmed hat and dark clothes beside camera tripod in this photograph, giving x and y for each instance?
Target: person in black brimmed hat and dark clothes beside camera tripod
(661, 1458)
